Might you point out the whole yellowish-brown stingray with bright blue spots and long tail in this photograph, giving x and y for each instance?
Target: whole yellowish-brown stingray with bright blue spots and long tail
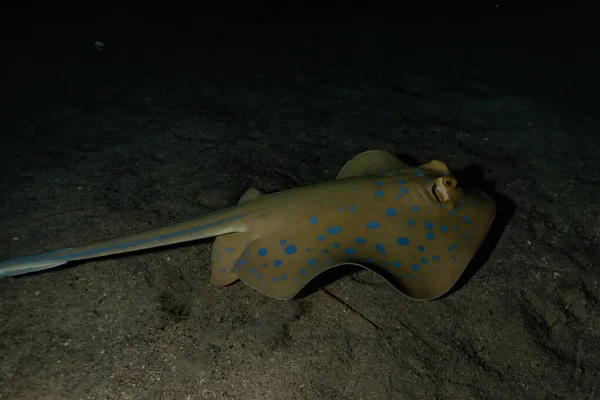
(413, 226)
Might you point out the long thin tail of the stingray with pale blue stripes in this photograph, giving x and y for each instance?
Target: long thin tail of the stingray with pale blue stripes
(215, 224)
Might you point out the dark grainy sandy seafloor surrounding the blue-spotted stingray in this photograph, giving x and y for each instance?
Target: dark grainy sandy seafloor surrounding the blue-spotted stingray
(151, 132)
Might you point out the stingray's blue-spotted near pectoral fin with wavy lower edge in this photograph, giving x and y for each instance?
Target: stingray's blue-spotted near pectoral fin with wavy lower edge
(421, 252)
